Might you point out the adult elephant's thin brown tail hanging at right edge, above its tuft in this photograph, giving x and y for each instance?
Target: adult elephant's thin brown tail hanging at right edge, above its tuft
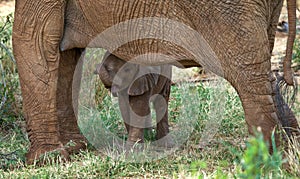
(288, 74)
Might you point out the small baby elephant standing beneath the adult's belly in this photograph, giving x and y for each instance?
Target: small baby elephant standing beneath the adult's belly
(136, 86)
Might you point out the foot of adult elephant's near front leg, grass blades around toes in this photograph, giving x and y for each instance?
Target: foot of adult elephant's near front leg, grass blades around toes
(40, 155)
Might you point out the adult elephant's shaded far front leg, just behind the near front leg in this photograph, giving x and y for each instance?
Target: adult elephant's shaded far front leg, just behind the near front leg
(70, 134)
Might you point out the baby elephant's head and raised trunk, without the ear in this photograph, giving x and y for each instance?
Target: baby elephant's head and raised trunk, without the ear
(115, 73)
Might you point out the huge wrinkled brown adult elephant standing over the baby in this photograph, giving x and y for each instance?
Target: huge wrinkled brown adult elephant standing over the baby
(233, 38)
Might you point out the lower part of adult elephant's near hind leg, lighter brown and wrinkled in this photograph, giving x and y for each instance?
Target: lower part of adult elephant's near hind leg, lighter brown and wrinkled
(254, 86)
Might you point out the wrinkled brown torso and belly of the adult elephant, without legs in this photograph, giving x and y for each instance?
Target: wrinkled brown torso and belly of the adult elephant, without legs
(220, 35)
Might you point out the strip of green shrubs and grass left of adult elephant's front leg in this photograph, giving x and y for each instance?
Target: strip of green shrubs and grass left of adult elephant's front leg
(13, 142)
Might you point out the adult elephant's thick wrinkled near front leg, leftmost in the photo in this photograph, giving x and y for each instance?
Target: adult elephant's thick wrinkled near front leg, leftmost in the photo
(38, 28)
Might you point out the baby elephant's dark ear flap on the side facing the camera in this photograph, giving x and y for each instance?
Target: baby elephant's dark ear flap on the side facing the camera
(143, 84)
